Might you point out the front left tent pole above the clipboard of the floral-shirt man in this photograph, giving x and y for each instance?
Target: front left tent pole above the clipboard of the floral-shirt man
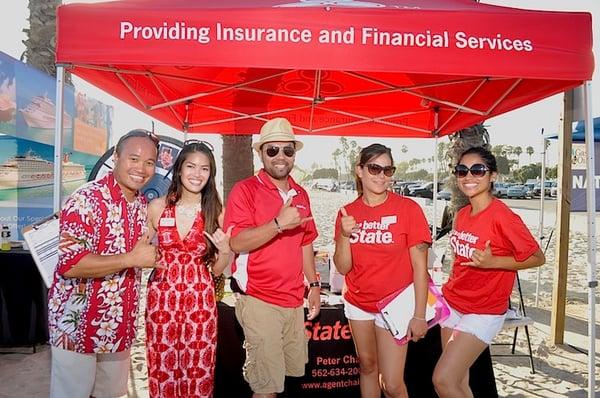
(58, 136)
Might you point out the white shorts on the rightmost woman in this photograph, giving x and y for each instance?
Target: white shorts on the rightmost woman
(483, 326)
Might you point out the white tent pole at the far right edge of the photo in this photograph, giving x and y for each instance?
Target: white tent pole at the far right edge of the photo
(591, 213)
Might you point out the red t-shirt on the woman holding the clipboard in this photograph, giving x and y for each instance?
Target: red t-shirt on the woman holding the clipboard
(380, 249)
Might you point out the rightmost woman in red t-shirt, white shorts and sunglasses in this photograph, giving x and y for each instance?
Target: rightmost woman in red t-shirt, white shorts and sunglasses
(490, 243)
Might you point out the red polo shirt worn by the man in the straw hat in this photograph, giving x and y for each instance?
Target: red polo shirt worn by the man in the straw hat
(273, 272)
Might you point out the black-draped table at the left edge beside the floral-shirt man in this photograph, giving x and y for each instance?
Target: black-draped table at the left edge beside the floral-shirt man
(23, 301)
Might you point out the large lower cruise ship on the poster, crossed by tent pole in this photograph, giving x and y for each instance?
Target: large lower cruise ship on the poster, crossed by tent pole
(29, 170)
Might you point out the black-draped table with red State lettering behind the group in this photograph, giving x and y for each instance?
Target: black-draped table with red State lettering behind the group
(332, 370)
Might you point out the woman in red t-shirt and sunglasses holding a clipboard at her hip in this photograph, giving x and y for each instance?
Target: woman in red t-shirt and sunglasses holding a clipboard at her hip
(381, 247)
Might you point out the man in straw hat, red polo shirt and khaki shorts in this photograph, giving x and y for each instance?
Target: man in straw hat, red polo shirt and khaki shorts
(273, 231)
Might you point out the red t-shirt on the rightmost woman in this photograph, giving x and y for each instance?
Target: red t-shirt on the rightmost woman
(473, 290)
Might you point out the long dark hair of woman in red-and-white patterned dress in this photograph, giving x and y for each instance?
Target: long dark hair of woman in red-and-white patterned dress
(212, 206)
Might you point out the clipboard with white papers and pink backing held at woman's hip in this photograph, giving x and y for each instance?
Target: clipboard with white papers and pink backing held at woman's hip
(397, 310)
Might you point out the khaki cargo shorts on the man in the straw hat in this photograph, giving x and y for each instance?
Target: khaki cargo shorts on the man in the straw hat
(276, 343)
